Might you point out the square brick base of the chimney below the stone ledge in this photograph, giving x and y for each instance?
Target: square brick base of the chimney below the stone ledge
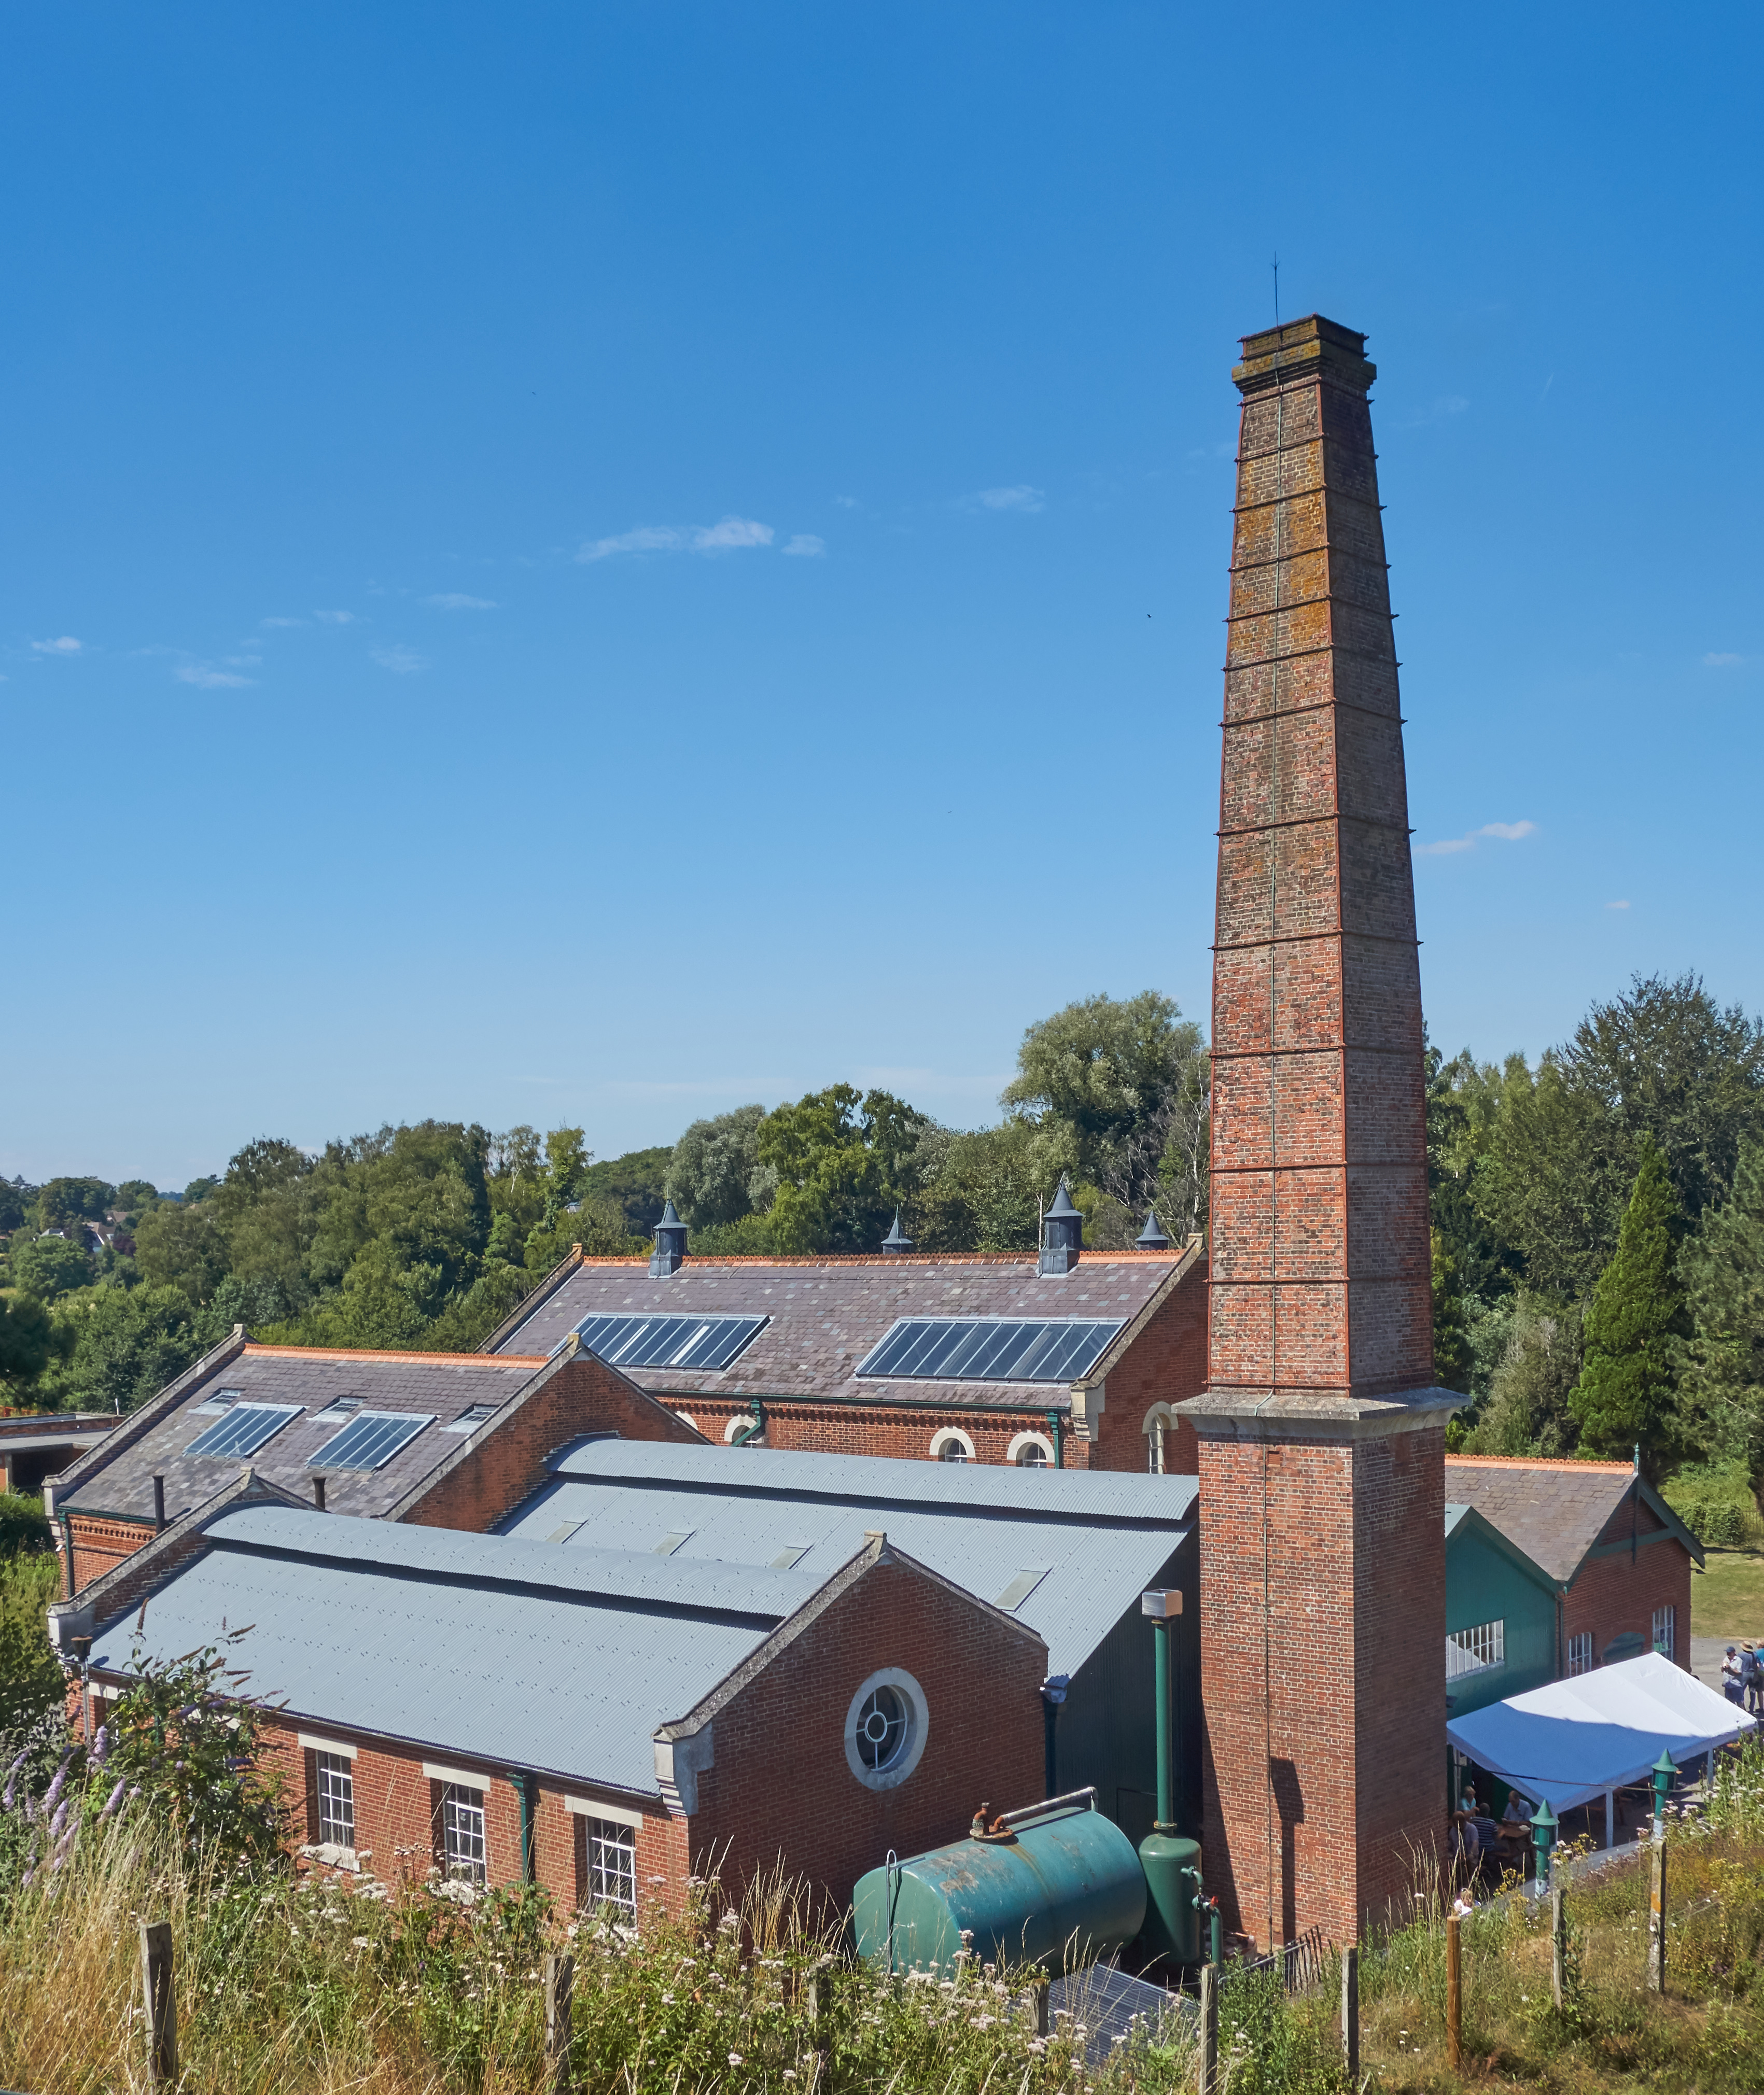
(1325, 1708)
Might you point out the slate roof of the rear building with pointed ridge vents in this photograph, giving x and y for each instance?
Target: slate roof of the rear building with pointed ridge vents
(826, 1315)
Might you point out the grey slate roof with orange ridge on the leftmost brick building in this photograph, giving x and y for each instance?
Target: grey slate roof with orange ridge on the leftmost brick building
(118, 1474)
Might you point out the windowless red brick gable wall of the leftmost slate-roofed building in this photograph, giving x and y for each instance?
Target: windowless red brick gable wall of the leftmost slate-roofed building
(506, 1465)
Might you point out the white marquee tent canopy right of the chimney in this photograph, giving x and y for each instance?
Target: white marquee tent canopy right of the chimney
(1579, 1740)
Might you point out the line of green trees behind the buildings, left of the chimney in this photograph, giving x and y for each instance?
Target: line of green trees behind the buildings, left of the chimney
(428, 1235)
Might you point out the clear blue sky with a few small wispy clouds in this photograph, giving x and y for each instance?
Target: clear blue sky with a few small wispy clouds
(600, 563)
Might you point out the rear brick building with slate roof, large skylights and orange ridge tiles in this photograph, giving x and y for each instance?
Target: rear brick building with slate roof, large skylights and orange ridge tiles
(818, 1346)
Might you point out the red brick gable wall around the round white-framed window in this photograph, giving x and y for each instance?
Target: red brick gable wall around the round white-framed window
(780, 1784)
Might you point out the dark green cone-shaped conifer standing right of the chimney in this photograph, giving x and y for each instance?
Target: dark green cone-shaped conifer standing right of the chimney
(1635, 1325)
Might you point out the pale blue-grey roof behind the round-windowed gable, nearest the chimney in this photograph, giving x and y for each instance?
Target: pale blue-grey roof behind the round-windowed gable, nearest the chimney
(1097, 1539)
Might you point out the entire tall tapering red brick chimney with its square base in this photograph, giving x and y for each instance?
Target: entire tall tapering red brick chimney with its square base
(1321, 1434)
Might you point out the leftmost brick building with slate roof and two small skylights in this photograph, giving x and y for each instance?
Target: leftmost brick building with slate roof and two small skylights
(441, 1440)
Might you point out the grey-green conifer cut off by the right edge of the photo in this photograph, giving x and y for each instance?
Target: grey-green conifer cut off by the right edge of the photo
(1721, 1384)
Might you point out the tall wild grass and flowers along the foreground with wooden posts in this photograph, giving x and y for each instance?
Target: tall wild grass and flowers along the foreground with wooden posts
(303, 1987)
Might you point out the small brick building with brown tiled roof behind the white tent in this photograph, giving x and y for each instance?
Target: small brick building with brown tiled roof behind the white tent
(1616, 1553)
